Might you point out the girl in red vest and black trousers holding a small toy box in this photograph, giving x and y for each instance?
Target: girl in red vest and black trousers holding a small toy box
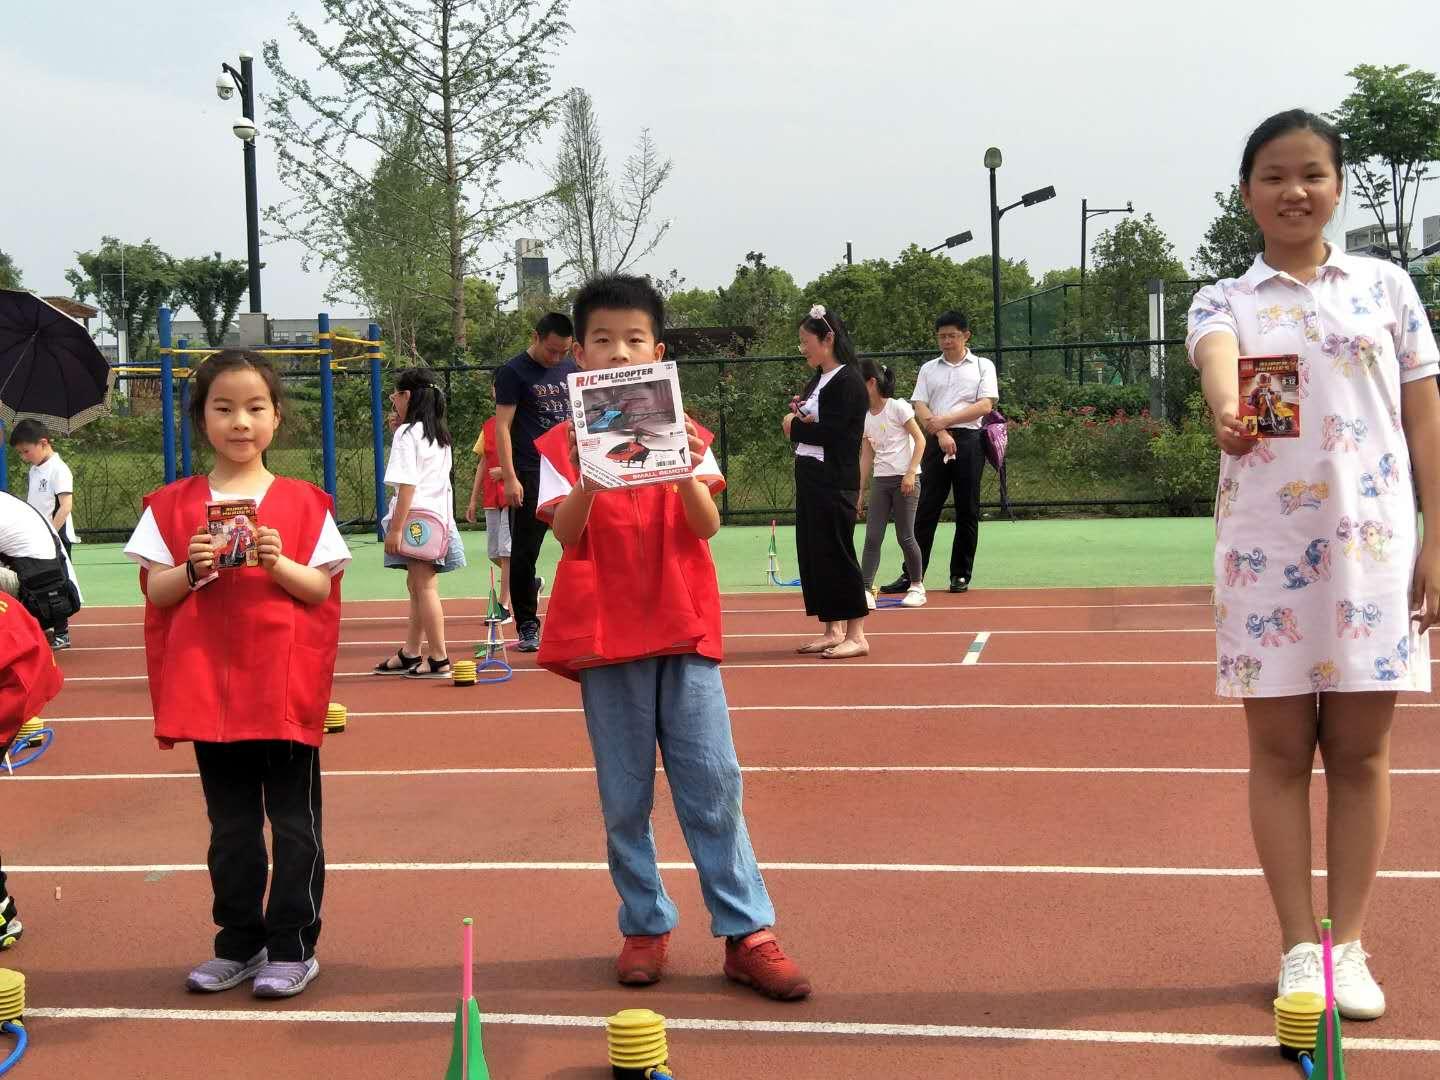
(241, 665)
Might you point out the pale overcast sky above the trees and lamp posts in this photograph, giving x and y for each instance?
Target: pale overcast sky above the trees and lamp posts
(794, 127)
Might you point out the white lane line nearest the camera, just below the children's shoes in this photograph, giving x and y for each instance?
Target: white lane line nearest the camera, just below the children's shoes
(771, 1027)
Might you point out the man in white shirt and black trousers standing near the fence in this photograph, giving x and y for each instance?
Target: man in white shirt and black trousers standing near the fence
(953, 395)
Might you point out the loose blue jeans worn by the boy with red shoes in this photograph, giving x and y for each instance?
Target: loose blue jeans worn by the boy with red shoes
(678, 702)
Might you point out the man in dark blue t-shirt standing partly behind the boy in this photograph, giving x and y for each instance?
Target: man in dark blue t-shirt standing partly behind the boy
(532, 397)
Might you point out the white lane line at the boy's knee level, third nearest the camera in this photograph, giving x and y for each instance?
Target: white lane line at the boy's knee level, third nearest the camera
(760, 770)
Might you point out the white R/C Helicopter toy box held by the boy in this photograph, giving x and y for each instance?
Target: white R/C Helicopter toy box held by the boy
(630, 427)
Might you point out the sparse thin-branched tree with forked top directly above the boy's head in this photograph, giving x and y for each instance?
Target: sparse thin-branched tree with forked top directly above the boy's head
(598, 228)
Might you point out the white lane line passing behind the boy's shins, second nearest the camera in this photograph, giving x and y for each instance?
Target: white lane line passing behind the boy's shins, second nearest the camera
(536, 866)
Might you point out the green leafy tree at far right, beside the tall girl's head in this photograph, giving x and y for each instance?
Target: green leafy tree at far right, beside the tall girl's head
(1392, 125)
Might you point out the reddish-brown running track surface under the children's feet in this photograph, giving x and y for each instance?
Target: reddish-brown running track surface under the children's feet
(950, 922)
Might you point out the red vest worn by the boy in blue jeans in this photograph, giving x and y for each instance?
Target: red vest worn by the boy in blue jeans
(637, 584)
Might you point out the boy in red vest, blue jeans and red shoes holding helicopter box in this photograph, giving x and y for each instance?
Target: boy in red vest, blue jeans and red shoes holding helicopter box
(636, 620)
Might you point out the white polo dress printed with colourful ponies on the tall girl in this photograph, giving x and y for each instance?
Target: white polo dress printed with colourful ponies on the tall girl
(1317, 536)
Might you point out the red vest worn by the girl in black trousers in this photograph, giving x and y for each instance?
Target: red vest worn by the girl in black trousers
(243, 659)
